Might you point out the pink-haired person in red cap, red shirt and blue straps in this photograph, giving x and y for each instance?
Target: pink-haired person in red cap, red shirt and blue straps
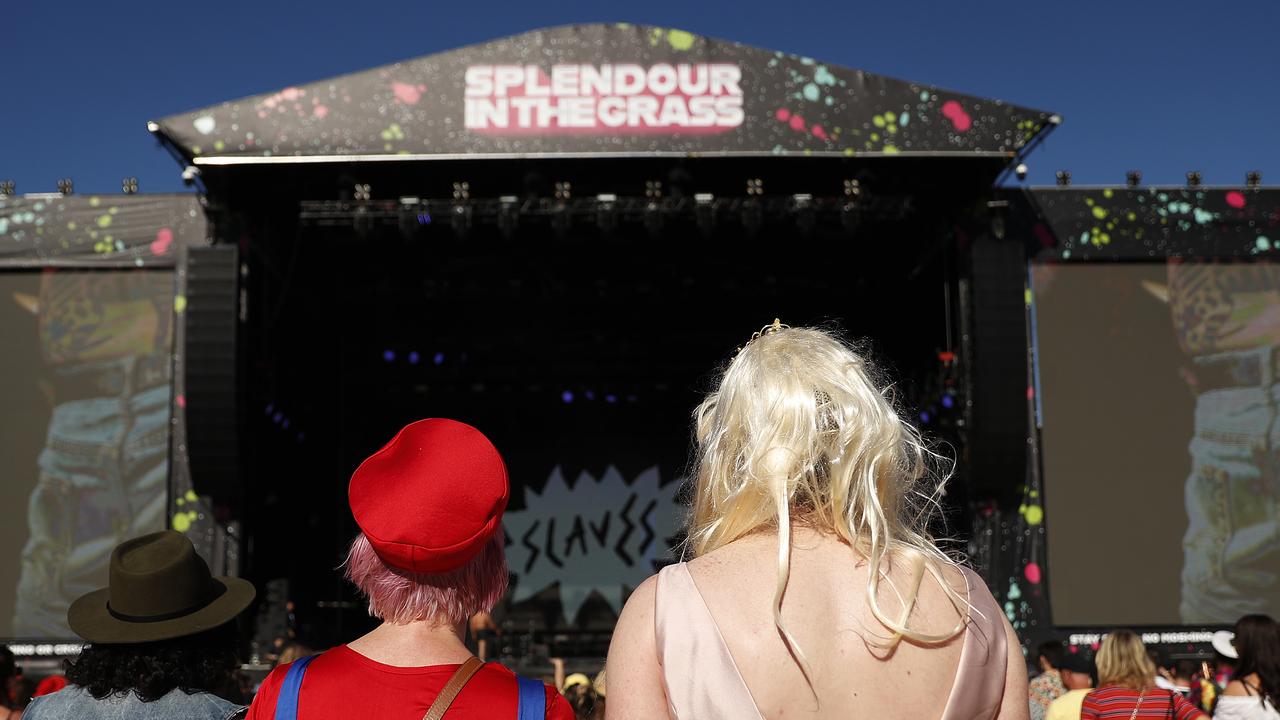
(429, 557)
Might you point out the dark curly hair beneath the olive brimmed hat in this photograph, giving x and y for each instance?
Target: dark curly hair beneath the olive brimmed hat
(200, 663)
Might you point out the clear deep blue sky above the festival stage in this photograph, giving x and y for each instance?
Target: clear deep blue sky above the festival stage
(1163, 88)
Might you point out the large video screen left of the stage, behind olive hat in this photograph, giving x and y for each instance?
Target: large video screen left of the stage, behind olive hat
(86, 380)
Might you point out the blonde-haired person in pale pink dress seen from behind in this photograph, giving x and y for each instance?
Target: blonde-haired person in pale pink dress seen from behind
(815, 590)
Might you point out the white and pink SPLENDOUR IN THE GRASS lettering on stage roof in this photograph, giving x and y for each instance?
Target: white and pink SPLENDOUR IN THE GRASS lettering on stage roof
(700, 98)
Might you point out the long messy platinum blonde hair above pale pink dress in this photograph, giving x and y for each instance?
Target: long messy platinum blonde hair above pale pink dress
(799, 432)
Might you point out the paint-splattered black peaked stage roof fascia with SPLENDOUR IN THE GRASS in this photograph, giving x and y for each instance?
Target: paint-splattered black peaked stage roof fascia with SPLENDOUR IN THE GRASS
(602, 92)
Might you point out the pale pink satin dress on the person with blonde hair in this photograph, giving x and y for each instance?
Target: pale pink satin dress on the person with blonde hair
(703, 683)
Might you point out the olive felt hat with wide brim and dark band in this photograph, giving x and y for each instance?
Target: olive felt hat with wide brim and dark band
(159, 590)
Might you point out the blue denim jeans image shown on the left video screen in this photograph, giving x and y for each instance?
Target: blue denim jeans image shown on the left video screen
(102, 481)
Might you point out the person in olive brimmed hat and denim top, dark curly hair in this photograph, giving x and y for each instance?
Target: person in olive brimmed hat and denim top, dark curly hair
(162, 640)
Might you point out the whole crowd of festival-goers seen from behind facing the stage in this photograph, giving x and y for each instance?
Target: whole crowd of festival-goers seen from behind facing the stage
(812, 589)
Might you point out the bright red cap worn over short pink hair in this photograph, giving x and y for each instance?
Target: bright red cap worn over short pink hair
(433, 498)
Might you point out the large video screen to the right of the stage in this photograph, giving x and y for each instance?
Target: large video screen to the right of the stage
(1159, 409)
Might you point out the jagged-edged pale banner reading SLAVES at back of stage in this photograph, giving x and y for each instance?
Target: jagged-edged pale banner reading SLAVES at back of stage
(596, 537)
